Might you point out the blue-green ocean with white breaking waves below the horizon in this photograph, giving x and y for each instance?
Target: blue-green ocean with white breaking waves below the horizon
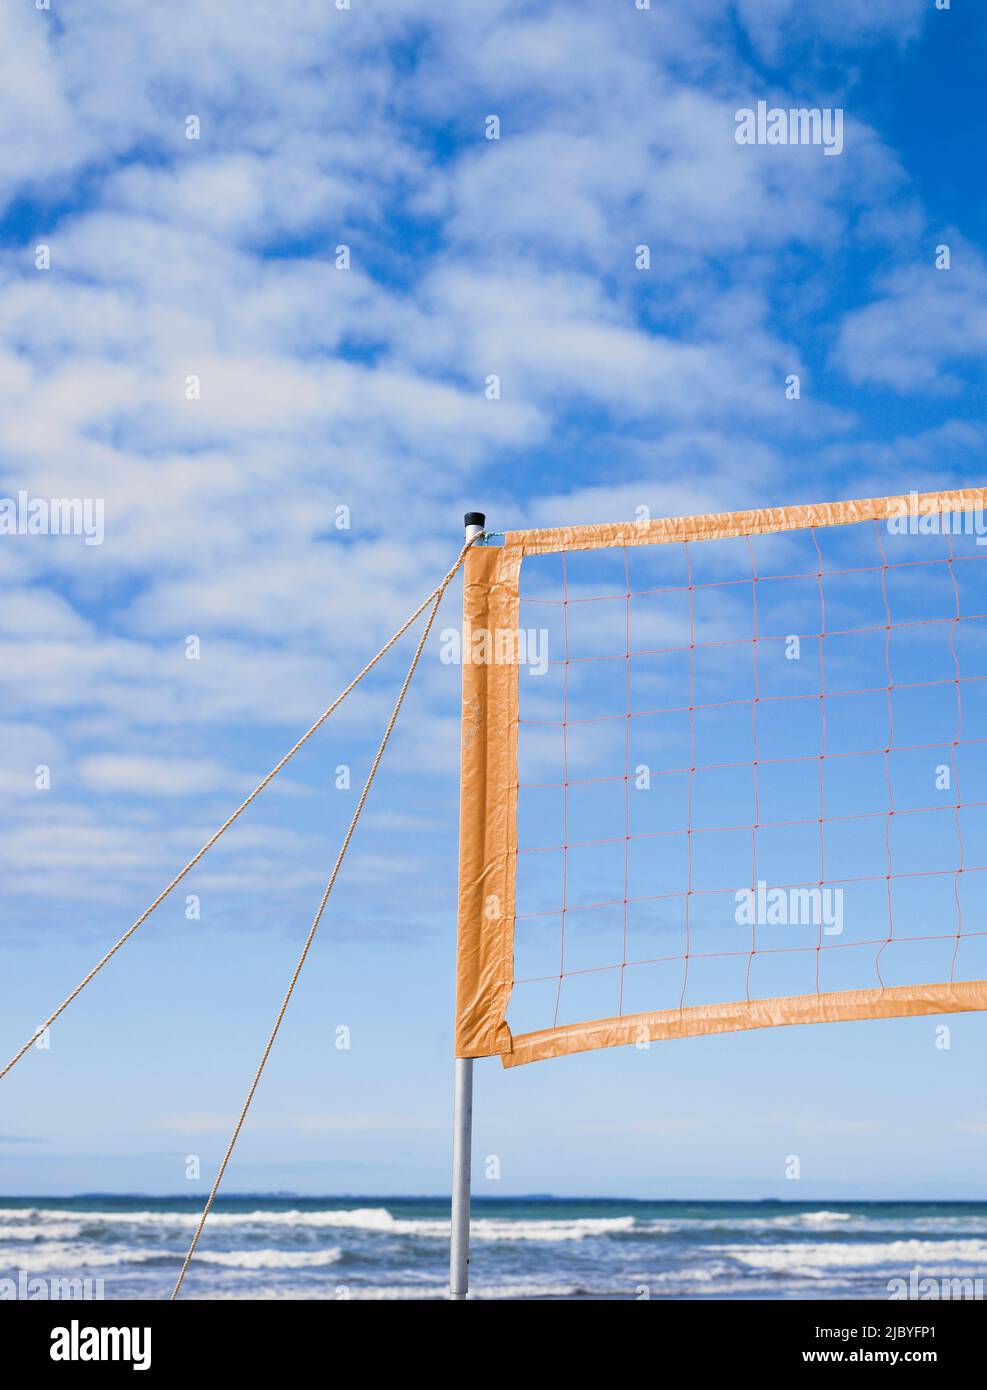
(383, 1248)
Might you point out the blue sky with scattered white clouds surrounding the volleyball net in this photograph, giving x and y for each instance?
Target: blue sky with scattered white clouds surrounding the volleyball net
(365, 389)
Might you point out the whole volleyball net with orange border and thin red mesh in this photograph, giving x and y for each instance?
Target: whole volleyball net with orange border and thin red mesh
(724, 772)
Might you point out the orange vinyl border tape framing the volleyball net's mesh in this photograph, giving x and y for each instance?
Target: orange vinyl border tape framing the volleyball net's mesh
(489, 806)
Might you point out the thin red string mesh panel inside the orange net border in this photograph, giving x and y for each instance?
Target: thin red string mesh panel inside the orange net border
(750, 768)
